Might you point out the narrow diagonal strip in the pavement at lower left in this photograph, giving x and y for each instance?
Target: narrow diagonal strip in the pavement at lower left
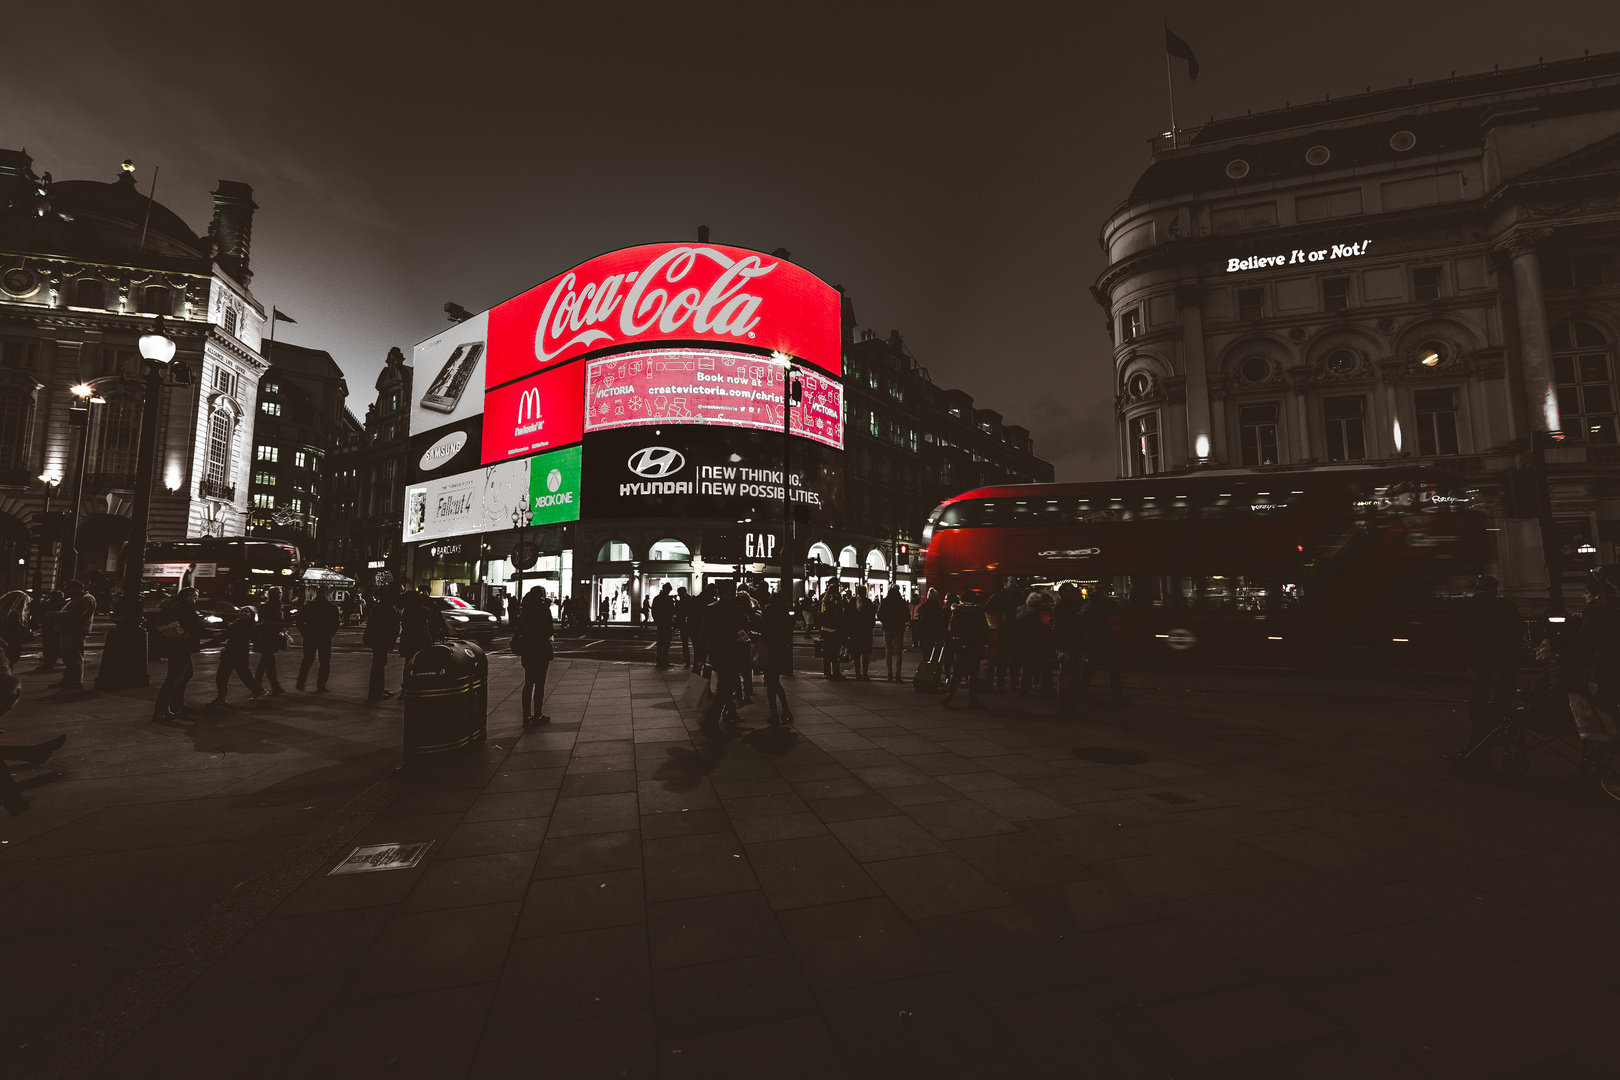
(77, 1047)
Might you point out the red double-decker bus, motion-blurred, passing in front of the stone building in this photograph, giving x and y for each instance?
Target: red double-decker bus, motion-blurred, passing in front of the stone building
(1334, 568)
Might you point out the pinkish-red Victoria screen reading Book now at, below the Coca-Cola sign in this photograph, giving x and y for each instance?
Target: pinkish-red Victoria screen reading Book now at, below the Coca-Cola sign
(701, 386)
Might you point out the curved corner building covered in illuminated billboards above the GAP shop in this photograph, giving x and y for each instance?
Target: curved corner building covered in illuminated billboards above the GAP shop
(621, 427)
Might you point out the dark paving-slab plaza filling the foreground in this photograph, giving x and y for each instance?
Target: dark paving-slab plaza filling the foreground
(1248, 875)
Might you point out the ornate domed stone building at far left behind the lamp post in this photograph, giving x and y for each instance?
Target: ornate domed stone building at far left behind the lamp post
(85, 270)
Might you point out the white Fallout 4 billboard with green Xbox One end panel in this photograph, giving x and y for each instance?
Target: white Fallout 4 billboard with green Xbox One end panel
(487, 500)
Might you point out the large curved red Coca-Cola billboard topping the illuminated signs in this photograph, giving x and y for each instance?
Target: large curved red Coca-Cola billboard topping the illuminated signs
(696, 294)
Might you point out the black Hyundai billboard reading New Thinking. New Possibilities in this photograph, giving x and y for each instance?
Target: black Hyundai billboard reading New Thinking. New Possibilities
(707, 474)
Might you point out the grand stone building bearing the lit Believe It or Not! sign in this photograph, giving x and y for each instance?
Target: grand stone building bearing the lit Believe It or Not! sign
(1422, 276)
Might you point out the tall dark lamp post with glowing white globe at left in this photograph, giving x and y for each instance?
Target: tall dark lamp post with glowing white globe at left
(124, 661)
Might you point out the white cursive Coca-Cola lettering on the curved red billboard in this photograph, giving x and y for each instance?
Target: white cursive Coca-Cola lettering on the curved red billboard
(697, 284)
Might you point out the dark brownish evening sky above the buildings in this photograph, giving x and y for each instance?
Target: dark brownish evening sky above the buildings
(950, 166)
